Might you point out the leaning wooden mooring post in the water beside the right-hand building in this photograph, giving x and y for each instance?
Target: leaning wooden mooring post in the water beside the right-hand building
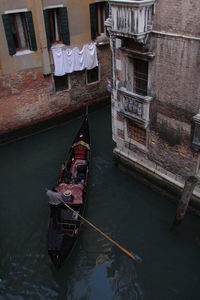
(190, 184)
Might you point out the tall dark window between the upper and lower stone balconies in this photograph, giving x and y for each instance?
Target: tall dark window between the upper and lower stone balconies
(137, 76)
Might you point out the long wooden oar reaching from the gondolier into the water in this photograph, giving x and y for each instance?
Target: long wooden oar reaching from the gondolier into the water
(102, 233)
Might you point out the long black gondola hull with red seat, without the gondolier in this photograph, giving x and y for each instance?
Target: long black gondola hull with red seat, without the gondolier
(63, 233)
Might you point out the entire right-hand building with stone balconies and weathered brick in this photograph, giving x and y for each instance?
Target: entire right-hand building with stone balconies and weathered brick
(155, 99)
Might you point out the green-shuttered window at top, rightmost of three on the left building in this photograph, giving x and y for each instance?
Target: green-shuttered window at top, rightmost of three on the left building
(98, 14)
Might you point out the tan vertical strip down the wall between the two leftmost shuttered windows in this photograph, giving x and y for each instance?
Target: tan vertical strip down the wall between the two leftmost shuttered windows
(42, 36)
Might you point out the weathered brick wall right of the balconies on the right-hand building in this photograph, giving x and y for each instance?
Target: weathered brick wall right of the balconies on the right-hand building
(174, 84)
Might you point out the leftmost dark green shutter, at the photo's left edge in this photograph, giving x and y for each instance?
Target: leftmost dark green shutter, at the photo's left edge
(7, 22)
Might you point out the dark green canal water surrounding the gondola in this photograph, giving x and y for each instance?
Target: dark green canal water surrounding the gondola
(131, 213)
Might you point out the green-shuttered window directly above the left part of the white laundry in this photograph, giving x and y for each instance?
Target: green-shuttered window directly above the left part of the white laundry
(56, 25)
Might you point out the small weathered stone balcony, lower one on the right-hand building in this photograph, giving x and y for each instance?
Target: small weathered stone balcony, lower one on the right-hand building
(135, 107)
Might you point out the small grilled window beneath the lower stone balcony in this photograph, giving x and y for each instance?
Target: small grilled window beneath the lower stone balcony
(136, 133)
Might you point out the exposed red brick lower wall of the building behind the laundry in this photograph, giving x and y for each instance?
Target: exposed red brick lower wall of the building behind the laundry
(29, 97)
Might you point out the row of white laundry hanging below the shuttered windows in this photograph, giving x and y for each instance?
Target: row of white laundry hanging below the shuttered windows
(70, 60)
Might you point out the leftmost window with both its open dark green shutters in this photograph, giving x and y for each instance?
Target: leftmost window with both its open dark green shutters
(19, 31)
